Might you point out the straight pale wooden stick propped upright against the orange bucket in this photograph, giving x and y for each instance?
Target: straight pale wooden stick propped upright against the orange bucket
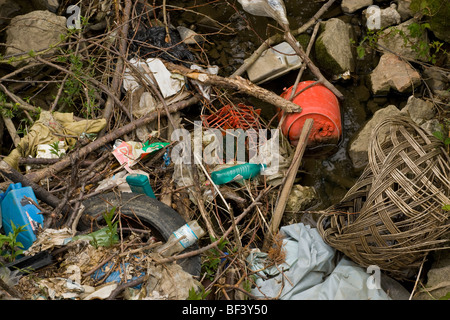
(288, 183)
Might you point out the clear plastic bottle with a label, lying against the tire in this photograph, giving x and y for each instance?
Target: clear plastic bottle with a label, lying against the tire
(190, 232)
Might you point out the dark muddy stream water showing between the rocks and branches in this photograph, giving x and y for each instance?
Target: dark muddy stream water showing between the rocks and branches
(331, 174)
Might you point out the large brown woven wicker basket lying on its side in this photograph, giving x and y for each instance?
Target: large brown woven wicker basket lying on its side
(393, 215)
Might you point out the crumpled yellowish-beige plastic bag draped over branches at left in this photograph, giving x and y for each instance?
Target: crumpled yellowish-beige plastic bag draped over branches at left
(43, 132)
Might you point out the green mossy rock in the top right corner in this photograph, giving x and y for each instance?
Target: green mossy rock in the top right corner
(437, 13)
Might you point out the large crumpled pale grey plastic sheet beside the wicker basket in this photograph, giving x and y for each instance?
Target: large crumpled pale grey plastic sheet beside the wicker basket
(310, 271)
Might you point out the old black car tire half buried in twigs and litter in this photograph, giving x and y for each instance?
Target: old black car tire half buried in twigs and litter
(140, 208)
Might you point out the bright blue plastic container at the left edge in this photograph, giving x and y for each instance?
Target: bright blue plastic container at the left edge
(15, 208)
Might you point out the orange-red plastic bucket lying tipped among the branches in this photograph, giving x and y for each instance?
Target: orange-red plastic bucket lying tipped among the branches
(320, 104)
